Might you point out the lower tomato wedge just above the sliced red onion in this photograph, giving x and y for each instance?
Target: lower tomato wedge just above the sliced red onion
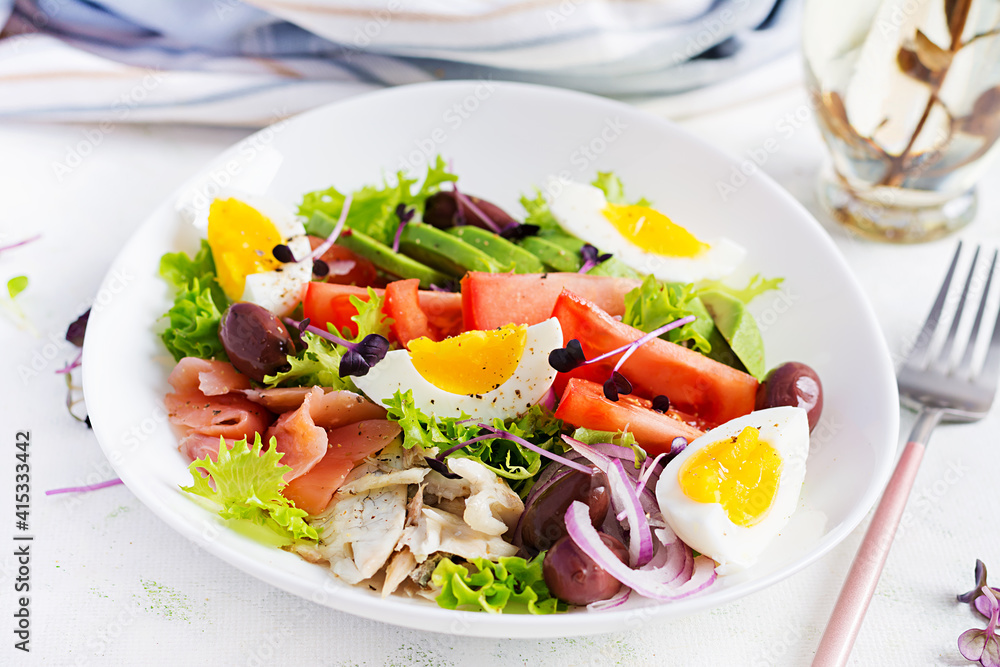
(583, 404)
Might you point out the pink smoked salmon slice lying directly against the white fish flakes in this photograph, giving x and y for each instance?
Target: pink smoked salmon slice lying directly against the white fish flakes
(348, 446)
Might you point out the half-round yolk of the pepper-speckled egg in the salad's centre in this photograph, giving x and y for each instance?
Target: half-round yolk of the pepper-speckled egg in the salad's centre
(473, 362)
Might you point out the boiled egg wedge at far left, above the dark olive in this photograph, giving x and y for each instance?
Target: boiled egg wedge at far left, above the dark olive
(242, 235)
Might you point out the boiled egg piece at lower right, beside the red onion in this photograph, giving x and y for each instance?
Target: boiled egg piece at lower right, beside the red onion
(732, 490)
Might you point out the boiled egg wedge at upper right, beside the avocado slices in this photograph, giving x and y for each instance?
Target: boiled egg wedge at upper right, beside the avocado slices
(641, 236)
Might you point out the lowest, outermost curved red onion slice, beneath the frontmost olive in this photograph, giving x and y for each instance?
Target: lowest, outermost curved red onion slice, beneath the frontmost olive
(648, 583)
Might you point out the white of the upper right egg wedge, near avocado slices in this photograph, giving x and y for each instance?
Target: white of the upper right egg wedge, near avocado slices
(577, 207)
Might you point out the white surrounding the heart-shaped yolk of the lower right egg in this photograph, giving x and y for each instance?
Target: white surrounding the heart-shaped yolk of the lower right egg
(706, 527)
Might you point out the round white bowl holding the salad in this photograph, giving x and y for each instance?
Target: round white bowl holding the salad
(504, 139)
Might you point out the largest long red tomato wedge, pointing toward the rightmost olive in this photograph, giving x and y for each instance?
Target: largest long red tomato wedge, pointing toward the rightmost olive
(700, 386)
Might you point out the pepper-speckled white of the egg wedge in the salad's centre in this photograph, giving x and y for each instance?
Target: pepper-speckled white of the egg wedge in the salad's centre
(528, 384)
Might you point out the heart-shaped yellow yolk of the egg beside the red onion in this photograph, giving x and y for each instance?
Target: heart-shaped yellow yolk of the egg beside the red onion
(741, 474)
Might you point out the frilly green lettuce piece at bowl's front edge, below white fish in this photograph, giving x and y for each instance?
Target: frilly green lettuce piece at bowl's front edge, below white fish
(511, 584)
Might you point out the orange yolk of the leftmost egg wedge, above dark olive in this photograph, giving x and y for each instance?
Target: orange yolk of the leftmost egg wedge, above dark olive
(241, 239)
